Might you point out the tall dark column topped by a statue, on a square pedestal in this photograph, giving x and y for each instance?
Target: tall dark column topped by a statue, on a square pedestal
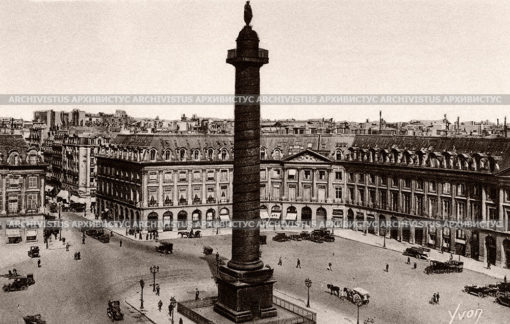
(245, 287)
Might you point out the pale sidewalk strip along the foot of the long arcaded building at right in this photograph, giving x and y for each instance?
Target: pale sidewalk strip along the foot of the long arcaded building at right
(391, 244)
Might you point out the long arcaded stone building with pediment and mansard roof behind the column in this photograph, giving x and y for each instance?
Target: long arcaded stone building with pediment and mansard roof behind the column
(381, 185)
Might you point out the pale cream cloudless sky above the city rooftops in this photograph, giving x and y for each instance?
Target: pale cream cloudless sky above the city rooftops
(315, 47)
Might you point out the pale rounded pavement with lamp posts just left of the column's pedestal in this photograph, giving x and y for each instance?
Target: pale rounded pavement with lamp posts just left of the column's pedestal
(182, 292)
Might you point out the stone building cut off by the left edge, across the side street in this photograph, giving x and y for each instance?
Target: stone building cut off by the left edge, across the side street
(21, 190)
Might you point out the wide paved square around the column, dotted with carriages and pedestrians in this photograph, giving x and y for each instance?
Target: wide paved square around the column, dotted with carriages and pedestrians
(69, 291)
